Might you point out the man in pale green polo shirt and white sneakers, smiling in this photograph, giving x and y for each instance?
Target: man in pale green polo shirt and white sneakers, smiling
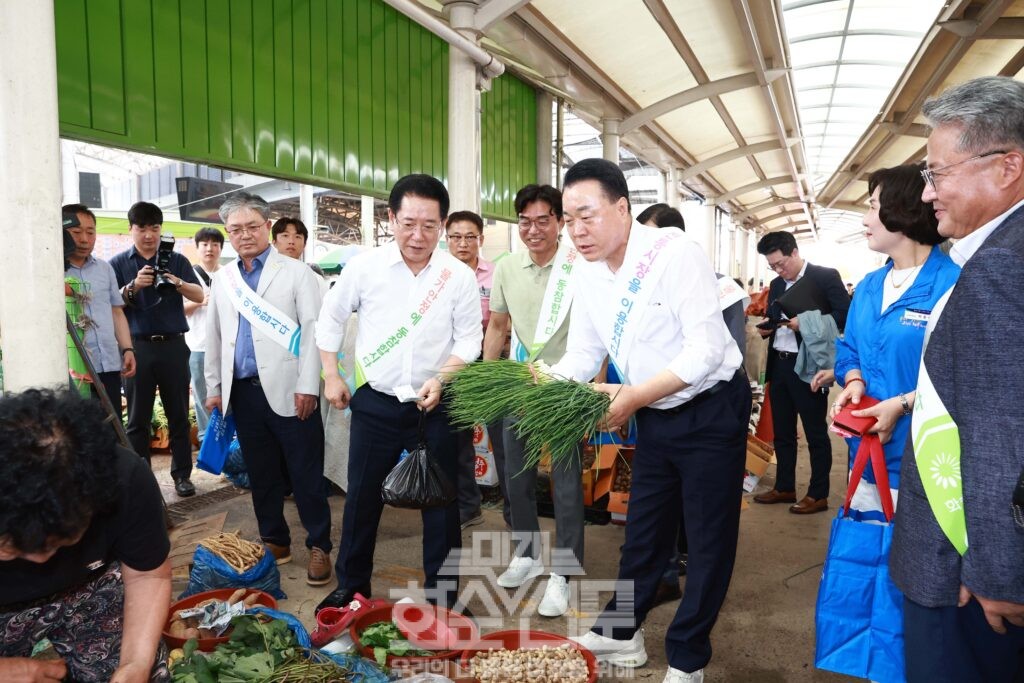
(532, 294)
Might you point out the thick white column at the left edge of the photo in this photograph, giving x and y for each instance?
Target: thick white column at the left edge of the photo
(32, 308)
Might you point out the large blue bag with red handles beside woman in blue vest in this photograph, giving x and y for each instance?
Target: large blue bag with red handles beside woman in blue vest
(860, 616)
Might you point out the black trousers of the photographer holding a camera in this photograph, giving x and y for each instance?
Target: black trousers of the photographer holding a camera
(165, 366)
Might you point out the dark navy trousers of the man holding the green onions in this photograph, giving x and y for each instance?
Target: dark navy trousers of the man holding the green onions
(694, 457)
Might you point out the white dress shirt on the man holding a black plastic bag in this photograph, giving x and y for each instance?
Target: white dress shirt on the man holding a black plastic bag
(379, 287)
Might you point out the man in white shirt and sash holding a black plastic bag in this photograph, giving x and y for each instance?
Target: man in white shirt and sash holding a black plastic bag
(419, 321)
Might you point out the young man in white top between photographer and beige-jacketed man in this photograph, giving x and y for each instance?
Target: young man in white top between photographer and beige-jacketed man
(209, 243)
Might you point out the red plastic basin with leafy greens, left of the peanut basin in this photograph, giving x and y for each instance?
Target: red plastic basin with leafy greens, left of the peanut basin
(420, 624)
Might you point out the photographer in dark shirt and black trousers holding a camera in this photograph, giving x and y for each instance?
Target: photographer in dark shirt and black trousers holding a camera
(154, 279)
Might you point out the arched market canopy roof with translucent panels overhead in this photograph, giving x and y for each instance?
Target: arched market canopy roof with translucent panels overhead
(777, 110)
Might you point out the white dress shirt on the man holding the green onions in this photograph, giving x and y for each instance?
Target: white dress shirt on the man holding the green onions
(681, 331)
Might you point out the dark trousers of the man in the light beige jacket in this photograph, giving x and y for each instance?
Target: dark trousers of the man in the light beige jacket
(272, 444)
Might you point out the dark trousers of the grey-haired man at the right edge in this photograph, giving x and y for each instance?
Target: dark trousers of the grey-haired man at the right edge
(956, 645)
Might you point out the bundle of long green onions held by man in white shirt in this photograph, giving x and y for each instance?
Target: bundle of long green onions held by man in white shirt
(552, 414)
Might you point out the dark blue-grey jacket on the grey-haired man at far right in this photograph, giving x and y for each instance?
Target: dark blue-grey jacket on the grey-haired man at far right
(975, 362)
